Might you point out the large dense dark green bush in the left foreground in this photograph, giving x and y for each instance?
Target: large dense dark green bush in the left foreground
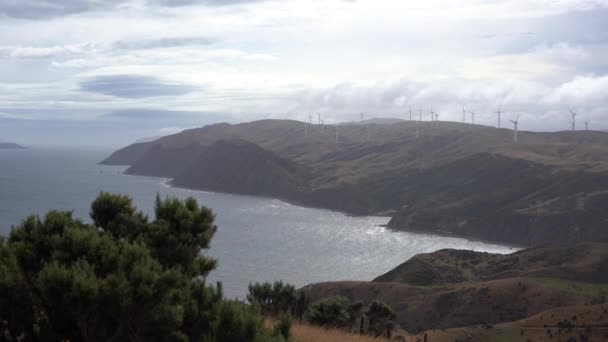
(122, 278)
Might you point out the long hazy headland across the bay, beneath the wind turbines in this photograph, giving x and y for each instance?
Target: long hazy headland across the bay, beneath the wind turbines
(459, 179)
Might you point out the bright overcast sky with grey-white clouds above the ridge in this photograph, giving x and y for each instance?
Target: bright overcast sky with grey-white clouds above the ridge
(109, 72)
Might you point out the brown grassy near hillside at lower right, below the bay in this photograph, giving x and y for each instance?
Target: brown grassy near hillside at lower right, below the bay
(472, 289)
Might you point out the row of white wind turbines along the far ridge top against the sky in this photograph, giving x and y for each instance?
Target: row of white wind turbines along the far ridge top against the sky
(435, 119)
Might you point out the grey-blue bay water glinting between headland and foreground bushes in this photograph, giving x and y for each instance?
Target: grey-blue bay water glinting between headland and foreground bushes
(258, 239)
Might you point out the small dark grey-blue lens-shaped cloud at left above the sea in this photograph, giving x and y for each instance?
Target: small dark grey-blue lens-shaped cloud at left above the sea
(134, 86)
